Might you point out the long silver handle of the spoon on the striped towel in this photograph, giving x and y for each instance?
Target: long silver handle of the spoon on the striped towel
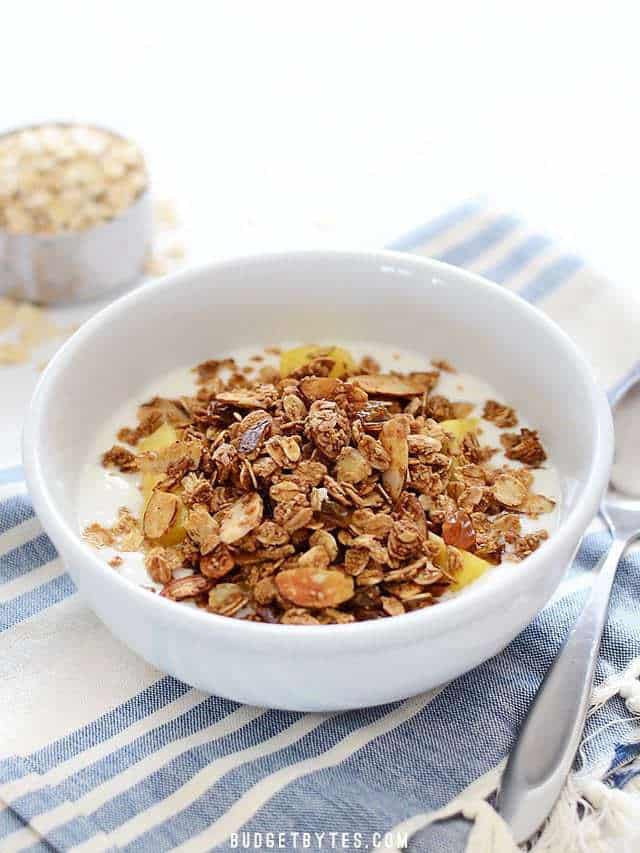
(546, 746)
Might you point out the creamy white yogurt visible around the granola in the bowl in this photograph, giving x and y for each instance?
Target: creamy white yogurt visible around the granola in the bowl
(102, 491)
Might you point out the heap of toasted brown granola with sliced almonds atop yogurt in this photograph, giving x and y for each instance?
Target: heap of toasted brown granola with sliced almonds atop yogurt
(325, 492)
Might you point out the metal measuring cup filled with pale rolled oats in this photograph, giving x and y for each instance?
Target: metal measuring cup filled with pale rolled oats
(75, 214)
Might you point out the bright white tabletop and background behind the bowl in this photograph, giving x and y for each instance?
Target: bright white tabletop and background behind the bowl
(288, 124)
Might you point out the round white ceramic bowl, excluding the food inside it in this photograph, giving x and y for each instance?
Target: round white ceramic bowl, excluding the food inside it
(383, 297)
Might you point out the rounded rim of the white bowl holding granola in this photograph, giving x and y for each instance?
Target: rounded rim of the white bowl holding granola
(394, 631)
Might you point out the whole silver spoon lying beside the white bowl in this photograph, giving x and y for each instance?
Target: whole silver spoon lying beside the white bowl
(548, 741)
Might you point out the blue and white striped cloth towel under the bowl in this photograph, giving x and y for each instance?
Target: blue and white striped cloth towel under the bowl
(101, 752)
